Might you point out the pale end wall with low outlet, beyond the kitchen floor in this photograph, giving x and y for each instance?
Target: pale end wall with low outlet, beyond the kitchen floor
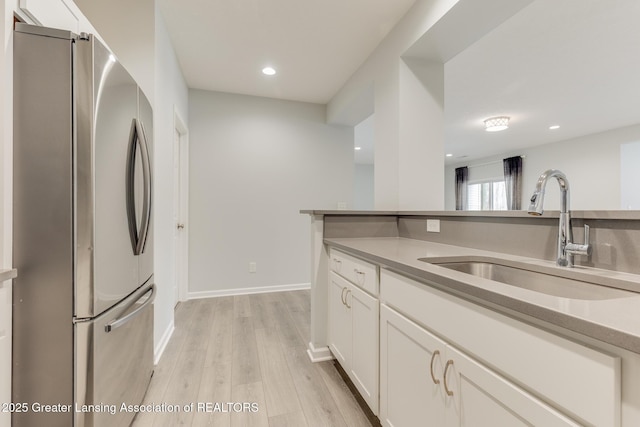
(254, 163)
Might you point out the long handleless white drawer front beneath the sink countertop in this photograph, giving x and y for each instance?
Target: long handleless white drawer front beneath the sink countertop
(583, 382)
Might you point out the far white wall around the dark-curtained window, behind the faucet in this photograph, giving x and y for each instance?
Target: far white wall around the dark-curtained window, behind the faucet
(591, 163)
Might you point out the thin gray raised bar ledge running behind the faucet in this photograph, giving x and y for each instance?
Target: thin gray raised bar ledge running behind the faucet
(578, 214)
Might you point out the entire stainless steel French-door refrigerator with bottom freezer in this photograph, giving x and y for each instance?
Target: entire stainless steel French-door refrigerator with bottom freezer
(82, 239)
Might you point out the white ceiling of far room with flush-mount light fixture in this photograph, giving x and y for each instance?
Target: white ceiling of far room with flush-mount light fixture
(574, 63)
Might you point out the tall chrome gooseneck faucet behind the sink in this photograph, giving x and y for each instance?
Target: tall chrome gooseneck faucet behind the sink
(566, 248)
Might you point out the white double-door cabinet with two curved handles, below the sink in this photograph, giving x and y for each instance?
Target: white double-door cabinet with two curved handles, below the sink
(425, 381)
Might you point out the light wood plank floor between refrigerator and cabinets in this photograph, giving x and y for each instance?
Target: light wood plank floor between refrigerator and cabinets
(248, 348)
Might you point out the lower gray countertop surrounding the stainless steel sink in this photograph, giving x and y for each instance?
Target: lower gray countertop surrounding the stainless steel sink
(614, 319)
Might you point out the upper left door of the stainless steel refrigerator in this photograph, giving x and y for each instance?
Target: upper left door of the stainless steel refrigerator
(107, 99)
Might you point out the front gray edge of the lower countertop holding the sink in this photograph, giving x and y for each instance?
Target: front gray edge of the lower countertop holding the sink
(512, 307)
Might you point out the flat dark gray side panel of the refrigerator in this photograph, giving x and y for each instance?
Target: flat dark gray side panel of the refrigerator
(43, 246)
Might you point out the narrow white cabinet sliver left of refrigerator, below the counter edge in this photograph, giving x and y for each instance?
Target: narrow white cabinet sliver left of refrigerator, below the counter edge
(5, 350)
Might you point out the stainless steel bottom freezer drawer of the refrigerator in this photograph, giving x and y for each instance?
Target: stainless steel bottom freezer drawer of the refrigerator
(114, 361)
